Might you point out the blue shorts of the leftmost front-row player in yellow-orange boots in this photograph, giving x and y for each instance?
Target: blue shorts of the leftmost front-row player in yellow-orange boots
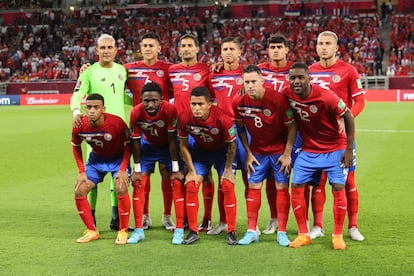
(97, 167)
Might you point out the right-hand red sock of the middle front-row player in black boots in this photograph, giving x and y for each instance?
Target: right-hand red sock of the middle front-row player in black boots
(230, 204)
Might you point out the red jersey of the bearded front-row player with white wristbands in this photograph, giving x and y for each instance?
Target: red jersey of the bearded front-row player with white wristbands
(154, 128)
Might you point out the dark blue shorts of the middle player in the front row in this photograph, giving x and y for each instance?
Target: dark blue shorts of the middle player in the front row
(203, 161)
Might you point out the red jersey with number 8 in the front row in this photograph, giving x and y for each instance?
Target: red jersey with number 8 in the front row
(266, 120)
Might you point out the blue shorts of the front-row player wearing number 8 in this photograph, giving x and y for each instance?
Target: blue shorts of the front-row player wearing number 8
(267, 167)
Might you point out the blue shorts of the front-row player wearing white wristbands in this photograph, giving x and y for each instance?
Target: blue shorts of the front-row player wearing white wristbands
(151, 154)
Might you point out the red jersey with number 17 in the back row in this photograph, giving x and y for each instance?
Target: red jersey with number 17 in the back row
(275, 78)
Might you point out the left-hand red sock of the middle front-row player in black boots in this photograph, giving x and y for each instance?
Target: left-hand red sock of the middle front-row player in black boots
(192, 204)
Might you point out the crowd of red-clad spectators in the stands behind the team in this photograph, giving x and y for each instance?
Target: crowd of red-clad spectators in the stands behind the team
(53, 44)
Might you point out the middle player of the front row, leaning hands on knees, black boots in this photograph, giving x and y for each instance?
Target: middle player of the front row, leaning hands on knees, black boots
(215, 144)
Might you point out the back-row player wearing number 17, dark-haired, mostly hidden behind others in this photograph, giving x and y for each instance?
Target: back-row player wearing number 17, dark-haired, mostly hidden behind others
(275, 74)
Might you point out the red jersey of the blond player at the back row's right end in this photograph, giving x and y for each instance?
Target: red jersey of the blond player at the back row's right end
(341, 78)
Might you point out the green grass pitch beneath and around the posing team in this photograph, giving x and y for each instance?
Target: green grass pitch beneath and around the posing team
(39, 223)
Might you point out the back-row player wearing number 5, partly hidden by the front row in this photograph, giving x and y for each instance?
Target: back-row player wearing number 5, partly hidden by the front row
(184, 77)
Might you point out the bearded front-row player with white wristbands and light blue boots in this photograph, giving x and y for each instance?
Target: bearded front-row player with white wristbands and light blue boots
(154, 139)
